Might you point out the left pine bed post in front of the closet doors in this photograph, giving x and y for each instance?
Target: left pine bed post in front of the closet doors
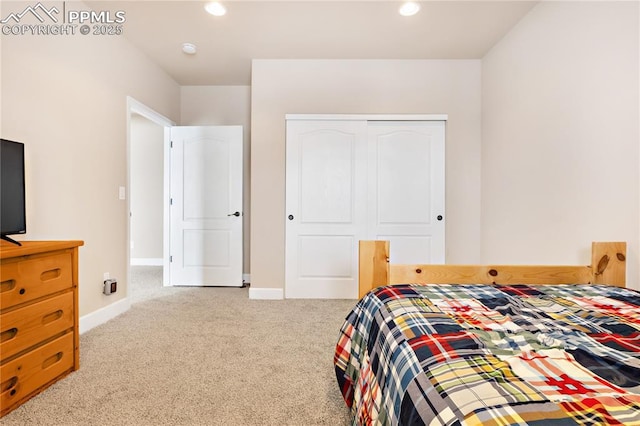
(374, 265)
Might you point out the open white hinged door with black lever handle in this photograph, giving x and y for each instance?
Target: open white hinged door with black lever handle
(206, 206)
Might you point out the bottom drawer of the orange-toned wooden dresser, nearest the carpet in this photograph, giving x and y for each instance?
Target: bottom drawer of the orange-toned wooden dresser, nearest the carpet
(29, 372)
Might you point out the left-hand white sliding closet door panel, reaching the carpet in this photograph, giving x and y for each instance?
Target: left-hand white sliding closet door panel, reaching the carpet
(325, 207)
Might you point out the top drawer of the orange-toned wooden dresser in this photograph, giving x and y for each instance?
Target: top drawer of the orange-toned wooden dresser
(29, 279)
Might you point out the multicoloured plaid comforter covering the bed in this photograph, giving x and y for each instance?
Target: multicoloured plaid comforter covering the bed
(492, 355)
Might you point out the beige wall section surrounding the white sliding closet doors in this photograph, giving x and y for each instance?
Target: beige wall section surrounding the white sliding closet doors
(280, 87)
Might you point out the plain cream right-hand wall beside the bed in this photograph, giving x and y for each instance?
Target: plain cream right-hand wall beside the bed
(560, 134)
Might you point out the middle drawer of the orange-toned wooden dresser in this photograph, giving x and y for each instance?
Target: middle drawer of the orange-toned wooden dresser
(27, 326)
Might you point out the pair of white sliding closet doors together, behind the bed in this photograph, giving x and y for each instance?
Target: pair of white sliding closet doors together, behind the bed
(355, 179)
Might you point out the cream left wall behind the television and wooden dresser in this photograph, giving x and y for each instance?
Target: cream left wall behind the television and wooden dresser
(65, 98)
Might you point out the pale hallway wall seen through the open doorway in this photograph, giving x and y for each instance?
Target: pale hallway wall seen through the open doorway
(146, 162)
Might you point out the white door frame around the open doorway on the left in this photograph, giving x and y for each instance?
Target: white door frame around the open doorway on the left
(136, 107)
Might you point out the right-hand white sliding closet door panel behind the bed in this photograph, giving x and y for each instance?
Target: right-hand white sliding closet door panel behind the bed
(406, 189)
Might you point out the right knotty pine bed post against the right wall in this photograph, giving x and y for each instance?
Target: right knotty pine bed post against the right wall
(608, 263)
